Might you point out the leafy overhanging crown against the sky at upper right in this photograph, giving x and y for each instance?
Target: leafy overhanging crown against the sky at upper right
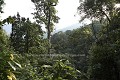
(97, 9)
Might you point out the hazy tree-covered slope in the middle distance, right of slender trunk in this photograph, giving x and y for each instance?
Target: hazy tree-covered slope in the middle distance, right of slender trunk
(76, 42)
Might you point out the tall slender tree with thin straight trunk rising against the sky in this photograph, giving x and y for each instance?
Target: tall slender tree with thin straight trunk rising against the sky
(46, 14)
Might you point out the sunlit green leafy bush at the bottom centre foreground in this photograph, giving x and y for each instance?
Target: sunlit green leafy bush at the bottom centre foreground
(60, 70)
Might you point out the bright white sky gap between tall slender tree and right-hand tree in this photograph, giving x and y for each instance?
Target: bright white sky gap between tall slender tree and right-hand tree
(66, 11)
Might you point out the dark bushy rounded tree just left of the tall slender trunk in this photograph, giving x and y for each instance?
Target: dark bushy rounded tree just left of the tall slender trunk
(25, 35)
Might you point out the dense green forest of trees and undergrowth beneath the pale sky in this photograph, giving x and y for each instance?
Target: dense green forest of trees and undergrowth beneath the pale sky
(90, 52)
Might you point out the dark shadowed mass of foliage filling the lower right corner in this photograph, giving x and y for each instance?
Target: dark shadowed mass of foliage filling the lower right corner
(104, 57)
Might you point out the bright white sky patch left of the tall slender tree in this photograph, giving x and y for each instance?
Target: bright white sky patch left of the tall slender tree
(24, 7)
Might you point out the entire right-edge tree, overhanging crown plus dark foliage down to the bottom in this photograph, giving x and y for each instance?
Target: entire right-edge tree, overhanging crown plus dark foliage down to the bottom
(104, 62)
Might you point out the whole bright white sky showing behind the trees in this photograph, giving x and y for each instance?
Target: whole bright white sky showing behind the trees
(67, 11)
